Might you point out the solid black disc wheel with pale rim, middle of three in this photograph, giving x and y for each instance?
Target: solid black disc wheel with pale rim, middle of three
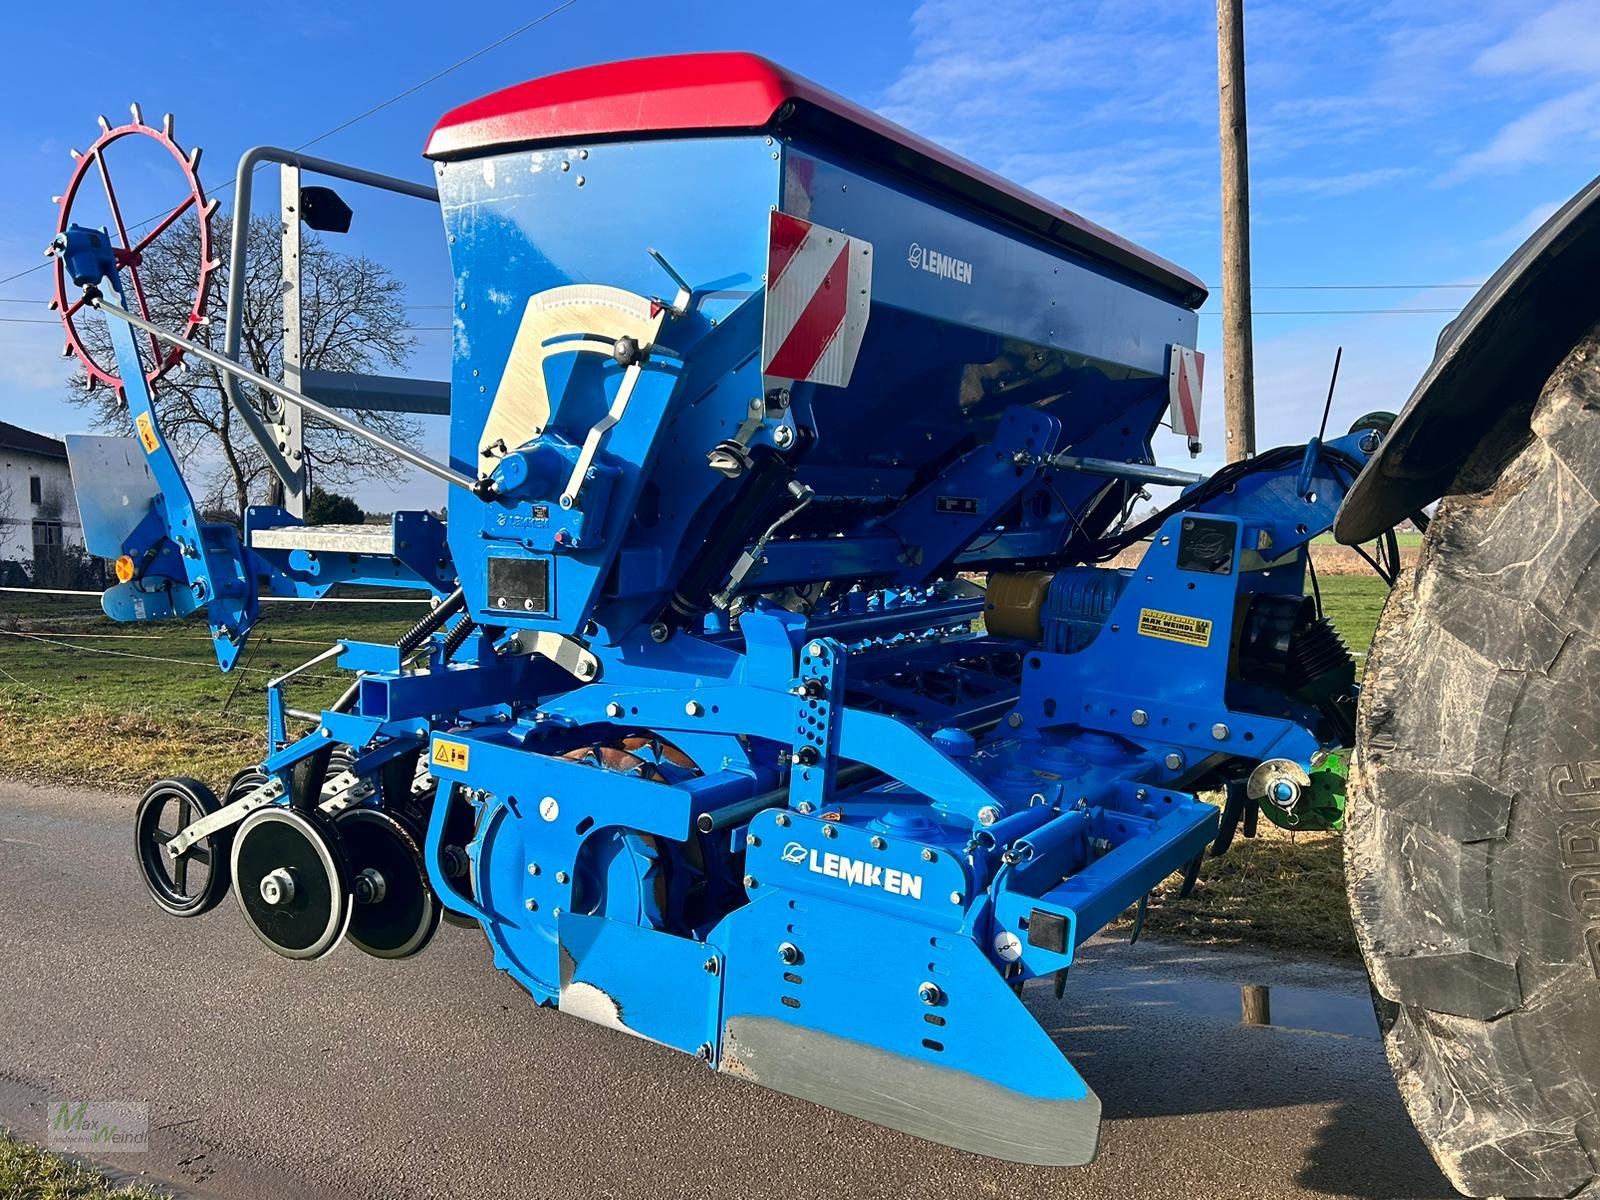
(292, 882)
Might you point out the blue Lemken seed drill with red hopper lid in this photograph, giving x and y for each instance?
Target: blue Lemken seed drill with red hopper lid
(710, 729)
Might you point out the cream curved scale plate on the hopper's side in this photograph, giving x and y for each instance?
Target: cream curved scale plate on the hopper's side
(575, 318)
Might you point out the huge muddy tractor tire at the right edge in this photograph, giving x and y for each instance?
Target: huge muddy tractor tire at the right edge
(1473, 841)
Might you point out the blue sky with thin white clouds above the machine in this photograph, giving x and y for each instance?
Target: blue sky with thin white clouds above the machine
(1396, 143)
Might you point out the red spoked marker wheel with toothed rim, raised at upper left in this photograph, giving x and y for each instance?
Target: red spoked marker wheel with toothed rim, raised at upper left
(130, 254)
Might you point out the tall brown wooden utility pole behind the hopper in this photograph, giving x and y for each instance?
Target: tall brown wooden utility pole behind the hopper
(1239, 364)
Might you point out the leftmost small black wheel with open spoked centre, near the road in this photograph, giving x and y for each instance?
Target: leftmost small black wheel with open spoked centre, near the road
(196, 881)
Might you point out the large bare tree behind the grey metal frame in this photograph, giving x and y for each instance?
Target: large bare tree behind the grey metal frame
(353, 319)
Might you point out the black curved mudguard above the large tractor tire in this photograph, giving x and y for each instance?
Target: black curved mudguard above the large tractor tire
(1492, 359)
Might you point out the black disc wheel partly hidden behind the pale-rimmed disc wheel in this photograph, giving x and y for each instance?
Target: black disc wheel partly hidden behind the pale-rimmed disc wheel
(396, 913)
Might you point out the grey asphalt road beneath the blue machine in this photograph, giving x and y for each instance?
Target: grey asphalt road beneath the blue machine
(439, 1078)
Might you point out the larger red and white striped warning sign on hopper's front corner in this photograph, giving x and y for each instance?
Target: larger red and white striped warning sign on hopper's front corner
(818, 297)
